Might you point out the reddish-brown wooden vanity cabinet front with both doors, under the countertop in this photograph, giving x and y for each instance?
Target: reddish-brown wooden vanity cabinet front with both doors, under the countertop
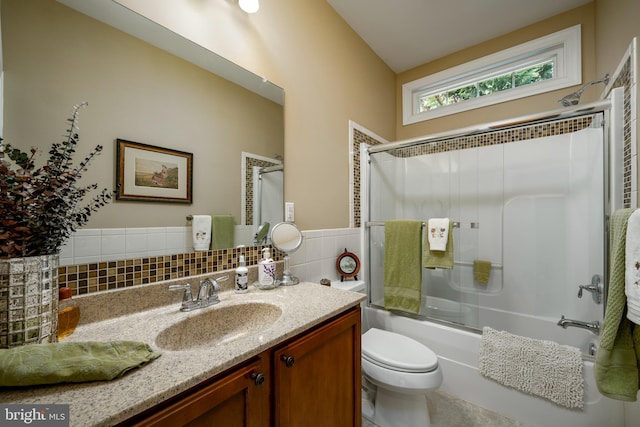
(288, 385)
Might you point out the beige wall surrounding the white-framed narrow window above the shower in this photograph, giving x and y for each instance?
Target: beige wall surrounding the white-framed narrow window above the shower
(548, 101)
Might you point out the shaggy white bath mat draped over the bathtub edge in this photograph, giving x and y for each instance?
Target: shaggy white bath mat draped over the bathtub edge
(542, 368)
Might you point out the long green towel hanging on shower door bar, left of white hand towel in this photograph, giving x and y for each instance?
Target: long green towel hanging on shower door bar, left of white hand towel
(402, 270)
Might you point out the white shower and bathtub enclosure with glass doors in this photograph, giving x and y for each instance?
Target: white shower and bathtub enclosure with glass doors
(525, 180)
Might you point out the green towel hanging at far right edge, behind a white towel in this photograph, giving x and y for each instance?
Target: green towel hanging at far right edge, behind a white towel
(617, 363)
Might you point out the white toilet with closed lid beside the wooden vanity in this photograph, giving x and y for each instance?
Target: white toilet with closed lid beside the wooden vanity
(403, 371)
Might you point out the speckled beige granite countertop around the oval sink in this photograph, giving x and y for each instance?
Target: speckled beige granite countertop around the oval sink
(107, 403)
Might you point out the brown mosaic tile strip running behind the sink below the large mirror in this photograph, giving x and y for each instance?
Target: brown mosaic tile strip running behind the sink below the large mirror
(102, 276)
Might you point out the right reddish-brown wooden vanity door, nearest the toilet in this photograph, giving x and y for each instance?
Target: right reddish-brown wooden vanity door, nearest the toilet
(317, 377)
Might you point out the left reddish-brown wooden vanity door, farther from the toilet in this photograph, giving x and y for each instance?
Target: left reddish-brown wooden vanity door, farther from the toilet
(238, 399)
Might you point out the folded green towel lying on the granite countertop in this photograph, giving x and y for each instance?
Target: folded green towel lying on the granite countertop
(71, 362)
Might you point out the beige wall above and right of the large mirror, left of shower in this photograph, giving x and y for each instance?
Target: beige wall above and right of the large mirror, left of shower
(329, 75)
